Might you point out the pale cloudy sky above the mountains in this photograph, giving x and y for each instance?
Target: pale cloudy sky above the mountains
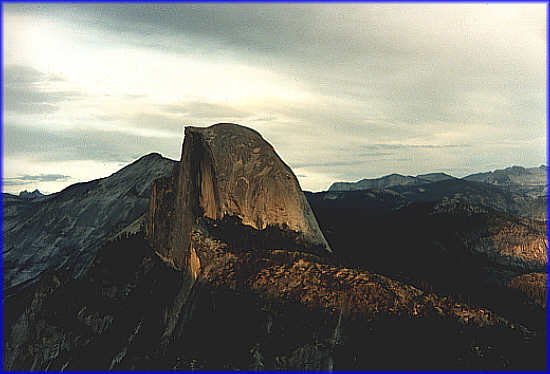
(343, 91)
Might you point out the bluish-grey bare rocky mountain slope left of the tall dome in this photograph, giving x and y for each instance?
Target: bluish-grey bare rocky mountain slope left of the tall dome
(65, 229)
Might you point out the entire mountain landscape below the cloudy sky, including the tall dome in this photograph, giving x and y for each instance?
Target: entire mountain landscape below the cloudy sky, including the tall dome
(220, 262)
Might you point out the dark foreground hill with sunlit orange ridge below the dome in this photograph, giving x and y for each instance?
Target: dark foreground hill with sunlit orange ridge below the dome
(254, 310)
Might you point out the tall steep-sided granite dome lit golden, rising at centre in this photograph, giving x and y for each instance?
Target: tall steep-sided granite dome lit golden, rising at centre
(226, 172)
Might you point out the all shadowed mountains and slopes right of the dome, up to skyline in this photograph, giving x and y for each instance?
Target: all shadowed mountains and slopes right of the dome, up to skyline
(493, 223)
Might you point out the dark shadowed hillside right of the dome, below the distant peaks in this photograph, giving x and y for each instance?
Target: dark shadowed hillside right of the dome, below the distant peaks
(450, 246)
